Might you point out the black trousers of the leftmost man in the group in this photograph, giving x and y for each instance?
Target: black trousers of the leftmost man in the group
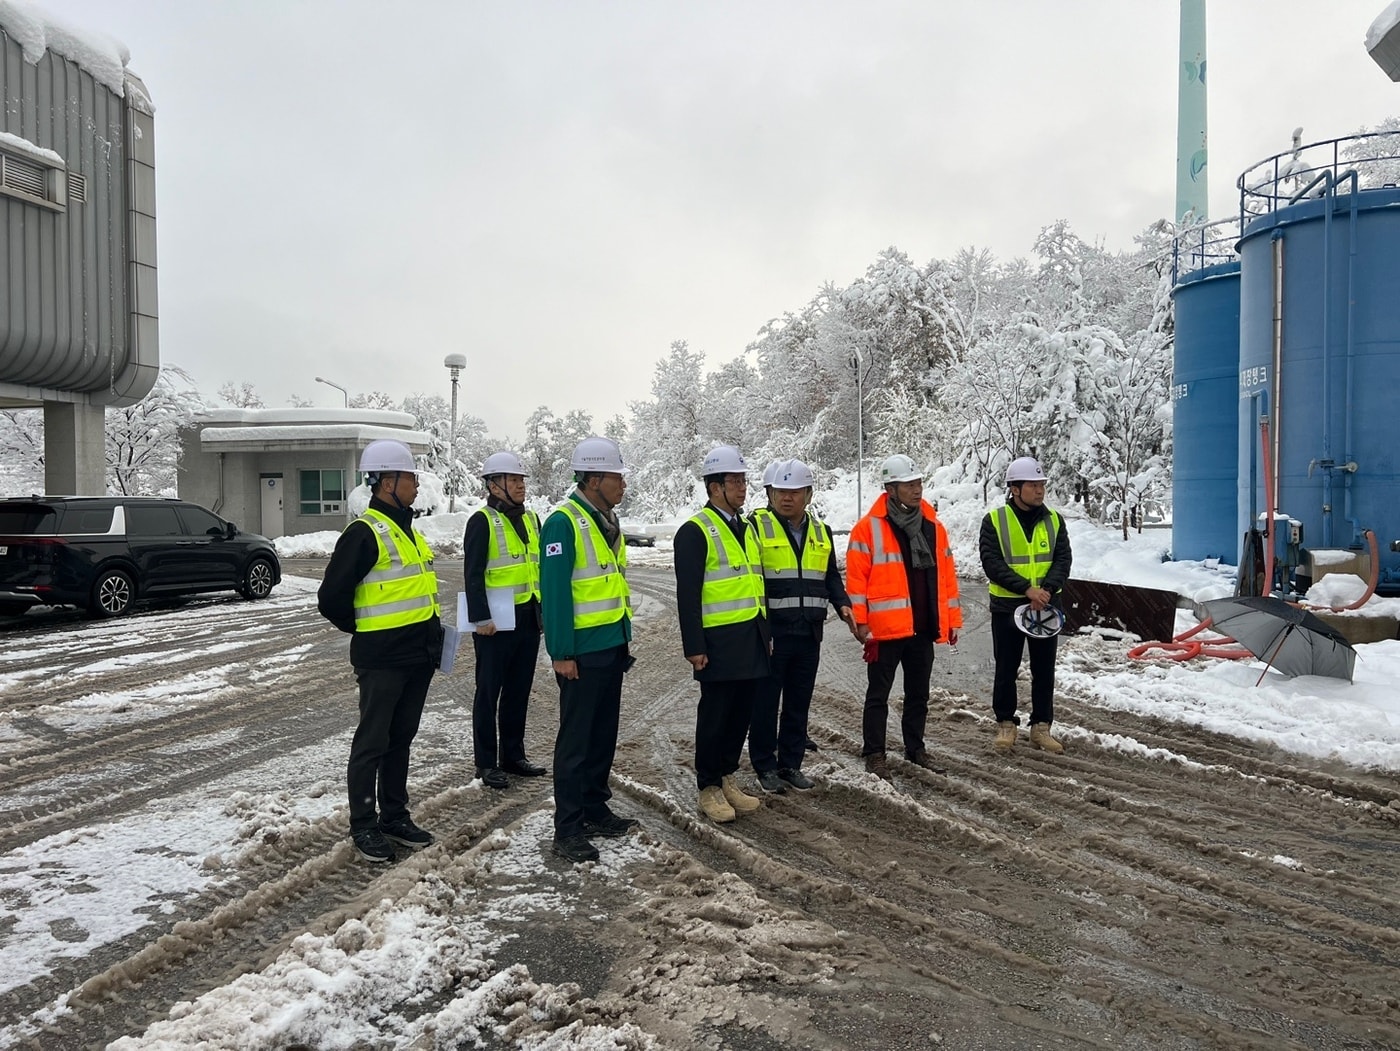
(391, 706)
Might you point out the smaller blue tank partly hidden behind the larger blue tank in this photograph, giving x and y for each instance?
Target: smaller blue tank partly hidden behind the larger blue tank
(1205, 405)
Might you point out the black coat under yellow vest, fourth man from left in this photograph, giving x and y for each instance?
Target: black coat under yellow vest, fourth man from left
(736, 651)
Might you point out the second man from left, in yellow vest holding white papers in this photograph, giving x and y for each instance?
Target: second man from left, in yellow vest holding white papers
(502, 560)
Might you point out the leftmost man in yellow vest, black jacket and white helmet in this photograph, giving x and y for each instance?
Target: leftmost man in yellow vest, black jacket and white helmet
(380, 588)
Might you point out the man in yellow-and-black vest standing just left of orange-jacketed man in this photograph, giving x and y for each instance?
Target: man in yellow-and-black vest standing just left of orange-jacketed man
(801, 577)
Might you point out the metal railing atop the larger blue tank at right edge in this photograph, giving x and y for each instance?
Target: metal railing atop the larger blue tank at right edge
(1307, 171)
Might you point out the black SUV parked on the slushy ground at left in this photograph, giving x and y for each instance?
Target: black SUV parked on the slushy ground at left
(108, 552)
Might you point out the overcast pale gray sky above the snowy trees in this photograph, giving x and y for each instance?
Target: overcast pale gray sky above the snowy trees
(561, 190)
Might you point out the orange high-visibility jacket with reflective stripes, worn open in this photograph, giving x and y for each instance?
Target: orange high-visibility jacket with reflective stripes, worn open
(877, 581)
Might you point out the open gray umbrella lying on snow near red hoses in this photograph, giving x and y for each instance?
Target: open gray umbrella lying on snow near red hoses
(1284, 637)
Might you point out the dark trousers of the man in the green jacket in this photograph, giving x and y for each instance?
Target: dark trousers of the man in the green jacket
(590, 709)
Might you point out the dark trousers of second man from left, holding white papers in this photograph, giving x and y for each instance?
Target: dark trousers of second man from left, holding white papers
(505, 675)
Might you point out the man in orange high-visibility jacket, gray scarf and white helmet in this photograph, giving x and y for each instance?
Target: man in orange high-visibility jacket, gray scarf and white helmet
(904, 587)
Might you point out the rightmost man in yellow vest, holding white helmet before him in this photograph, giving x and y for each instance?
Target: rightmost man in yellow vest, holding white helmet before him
(1025, 553)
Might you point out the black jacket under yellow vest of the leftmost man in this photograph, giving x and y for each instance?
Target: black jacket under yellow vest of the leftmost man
(356, 553)
